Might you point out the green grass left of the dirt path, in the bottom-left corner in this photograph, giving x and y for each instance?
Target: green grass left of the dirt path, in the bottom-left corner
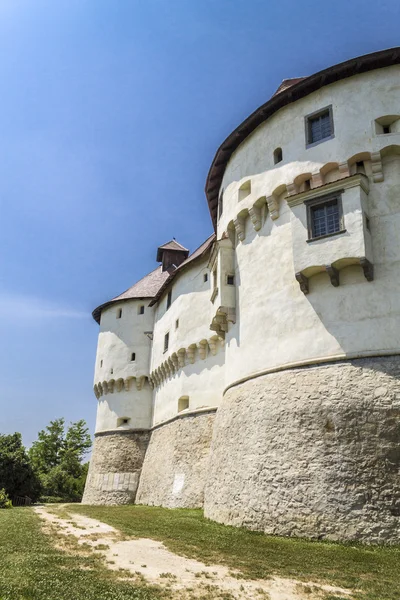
(32, 569)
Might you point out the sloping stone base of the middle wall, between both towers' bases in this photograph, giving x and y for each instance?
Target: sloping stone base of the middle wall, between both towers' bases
(177, 462)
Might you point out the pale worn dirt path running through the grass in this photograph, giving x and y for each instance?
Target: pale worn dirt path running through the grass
(186, 577)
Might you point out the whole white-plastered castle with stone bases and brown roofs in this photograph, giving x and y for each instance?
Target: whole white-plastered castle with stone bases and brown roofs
(258, 377)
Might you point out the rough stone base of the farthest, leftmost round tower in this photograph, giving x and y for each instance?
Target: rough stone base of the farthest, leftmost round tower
(115, 466)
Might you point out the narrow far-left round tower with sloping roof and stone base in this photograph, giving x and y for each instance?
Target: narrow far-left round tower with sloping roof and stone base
(124, 395)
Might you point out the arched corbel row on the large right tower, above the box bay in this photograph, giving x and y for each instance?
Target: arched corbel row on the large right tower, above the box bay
(298, 185)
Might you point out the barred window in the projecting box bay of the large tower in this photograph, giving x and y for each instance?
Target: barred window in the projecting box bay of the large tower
(324, 217)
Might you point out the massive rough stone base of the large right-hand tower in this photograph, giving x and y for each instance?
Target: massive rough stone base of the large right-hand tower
(311, 452)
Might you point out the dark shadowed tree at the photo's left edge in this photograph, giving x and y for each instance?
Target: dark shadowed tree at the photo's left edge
(17, 475)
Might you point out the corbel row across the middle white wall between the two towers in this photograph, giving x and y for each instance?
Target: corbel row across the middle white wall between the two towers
(185, 356)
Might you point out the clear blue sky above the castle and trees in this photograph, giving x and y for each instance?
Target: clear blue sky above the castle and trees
(111, 112)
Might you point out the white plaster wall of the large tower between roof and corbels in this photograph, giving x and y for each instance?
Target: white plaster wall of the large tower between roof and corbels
(356, 103)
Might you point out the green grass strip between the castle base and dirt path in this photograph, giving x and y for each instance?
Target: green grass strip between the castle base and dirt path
(374, 571)
